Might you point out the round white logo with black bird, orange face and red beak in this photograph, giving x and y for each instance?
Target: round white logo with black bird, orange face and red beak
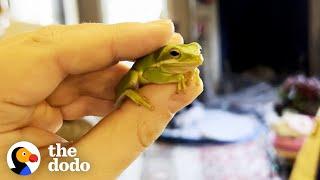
(23, 158)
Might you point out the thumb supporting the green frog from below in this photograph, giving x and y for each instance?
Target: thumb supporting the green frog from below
(120, 137)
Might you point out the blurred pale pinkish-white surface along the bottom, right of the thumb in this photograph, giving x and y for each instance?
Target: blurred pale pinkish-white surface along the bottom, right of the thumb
(231, 161)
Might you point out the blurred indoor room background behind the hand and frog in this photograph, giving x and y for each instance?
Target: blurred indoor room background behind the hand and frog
(262, 61)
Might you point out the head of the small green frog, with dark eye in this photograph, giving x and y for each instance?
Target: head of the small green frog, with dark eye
(180, 58)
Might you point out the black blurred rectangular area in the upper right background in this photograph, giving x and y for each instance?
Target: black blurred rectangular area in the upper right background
(268, 33)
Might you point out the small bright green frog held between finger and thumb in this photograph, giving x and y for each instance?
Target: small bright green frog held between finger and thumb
(169, 64)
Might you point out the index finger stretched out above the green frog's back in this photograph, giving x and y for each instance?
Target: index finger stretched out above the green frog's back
(87, 47)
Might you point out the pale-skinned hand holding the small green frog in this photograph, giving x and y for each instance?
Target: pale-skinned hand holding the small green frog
(65, 72)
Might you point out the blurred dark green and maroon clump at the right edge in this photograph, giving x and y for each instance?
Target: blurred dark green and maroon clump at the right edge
(301, 94)
